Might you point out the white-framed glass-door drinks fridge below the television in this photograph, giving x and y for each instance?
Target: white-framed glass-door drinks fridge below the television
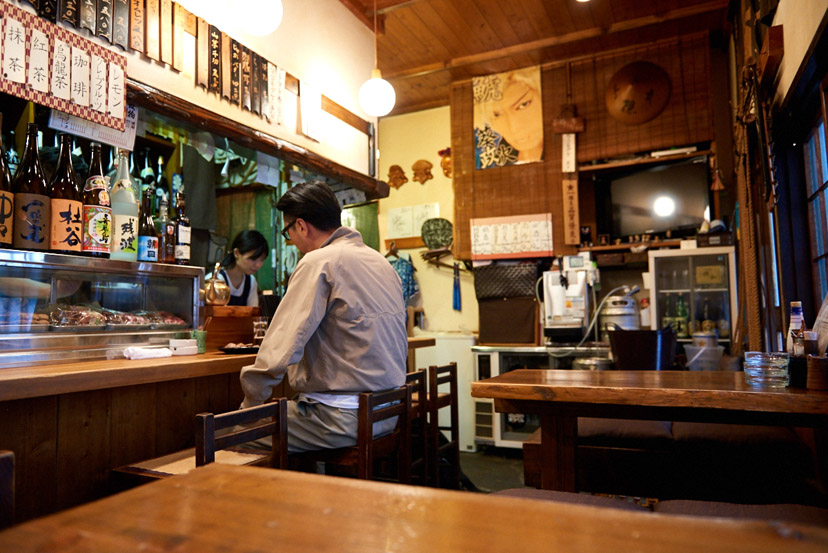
(694, 290)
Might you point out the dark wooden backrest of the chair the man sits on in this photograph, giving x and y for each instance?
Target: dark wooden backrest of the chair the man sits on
(375, 407)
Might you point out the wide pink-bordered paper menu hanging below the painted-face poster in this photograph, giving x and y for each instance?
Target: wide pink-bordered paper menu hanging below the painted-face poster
(512, 237)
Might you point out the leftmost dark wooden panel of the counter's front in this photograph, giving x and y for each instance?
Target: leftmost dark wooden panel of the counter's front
(28, 427)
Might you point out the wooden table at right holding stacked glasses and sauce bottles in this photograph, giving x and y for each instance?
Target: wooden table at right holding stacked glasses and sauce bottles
(560, 397)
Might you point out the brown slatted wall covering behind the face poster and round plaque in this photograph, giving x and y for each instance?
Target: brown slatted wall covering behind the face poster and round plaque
(536, 187)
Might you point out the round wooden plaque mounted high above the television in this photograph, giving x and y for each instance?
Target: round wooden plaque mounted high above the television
(637, 92)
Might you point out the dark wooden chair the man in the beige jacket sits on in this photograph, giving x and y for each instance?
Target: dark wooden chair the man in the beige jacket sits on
(359, 459)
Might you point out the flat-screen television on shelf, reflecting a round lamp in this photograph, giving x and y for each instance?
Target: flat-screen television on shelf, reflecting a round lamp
(666, 196)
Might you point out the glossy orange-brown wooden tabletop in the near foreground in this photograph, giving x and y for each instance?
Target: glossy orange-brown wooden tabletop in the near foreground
(239, 509)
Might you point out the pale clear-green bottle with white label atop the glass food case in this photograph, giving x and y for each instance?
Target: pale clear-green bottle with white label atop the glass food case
(124, 244)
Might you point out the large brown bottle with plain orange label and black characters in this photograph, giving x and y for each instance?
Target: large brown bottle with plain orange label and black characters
(67, 209)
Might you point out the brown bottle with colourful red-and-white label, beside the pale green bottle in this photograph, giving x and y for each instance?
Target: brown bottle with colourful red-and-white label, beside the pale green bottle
(97, 212)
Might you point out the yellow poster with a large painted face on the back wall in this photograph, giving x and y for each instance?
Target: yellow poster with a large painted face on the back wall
(508, 118)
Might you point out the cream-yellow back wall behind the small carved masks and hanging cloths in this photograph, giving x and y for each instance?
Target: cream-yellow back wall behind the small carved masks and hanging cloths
(404, 139)
